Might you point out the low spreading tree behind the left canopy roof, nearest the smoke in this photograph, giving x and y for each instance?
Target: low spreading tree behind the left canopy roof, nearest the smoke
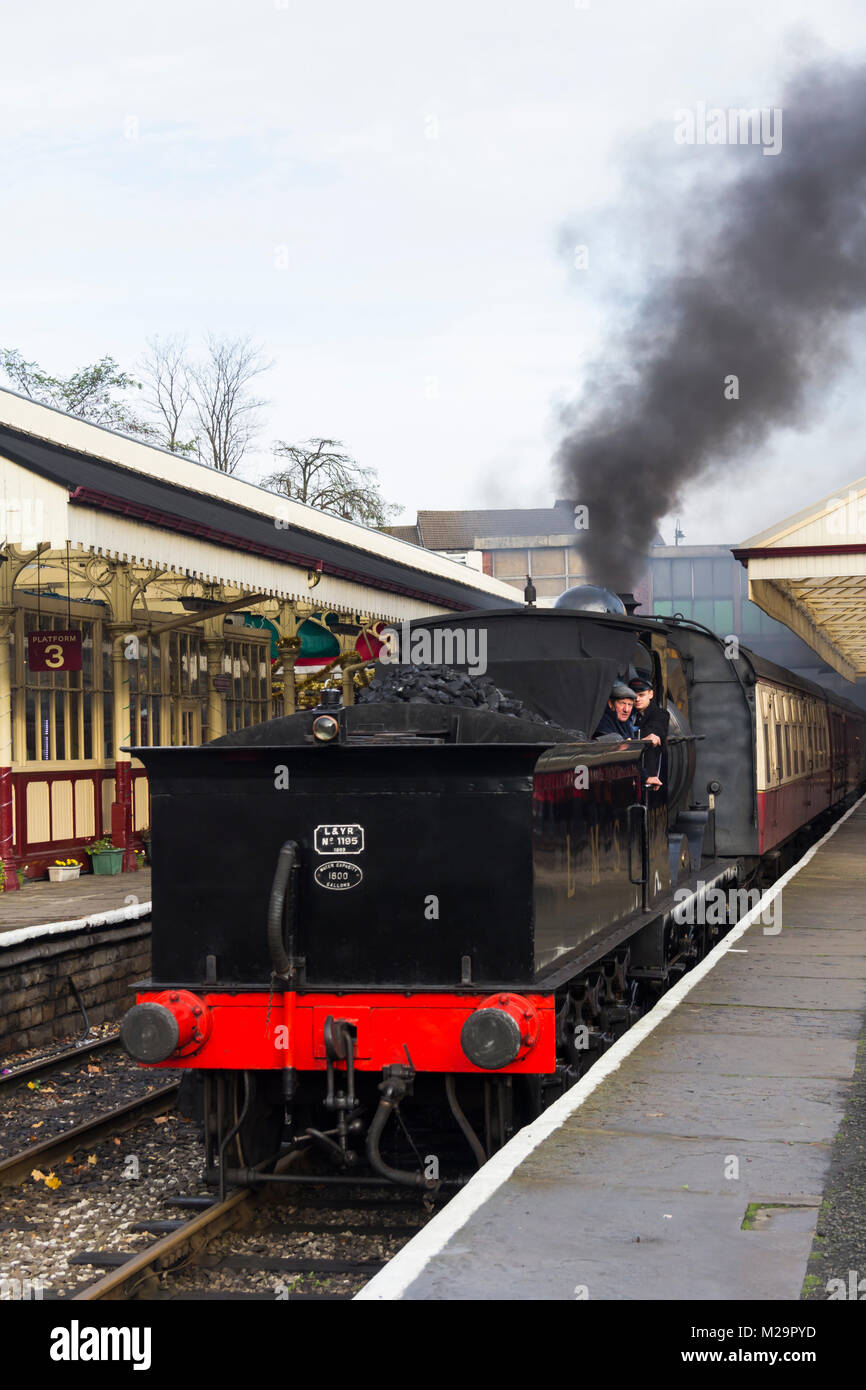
(323, 476)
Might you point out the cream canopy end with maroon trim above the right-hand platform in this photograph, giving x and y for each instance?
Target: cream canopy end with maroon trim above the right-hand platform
(810, 572)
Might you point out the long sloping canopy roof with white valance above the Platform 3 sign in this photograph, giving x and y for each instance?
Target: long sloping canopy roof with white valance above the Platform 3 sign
(74, 496)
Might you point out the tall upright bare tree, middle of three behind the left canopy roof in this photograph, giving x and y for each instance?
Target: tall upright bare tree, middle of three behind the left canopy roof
(227, 412)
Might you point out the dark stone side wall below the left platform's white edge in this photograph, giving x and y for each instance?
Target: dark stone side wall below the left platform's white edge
(37, 1001)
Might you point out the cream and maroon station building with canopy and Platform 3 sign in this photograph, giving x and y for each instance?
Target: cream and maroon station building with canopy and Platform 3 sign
(147, 600)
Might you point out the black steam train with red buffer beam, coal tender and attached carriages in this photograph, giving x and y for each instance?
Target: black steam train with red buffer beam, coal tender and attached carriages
(370, 918)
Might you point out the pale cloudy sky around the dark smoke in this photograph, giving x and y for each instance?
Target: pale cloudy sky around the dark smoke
(387, 198)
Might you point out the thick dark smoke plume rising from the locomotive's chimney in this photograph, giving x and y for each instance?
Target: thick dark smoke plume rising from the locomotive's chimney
(772, 266)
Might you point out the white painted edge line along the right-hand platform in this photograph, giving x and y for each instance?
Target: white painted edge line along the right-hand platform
(393, 1282)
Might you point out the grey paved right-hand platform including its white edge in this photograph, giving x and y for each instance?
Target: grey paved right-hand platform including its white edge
(692, 1163)
